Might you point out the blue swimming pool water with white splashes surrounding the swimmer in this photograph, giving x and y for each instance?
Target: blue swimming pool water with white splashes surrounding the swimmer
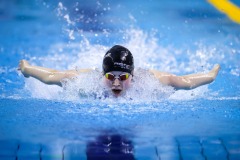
(46, 122)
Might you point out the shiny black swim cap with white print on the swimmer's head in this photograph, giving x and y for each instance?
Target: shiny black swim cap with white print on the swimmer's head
(118, 58)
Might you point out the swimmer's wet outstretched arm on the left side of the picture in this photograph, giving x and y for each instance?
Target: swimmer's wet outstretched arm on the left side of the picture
(47, 75)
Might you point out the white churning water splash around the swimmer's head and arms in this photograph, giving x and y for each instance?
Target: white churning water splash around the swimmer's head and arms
(145, 87)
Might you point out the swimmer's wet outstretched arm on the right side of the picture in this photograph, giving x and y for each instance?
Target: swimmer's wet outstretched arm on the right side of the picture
(186, 82)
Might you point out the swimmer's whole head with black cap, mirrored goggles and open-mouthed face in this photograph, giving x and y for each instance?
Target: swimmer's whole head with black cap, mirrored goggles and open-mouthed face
(118, 69)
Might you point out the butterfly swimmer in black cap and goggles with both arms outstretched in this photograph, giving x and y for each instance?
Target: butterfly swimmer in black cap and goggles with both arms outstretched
(118, 71)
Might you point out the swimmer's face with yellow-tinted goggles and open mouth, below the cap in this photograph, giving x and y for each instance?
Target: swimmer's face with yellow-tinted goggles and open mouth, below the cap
(117, 81)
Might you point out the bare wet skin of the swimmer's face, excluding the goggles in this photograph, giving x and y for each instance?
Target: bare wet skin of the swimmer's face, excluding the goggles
(116, 85)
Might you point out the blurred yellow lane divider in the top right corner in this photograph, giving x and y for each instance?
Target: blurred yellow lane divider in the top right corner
(228, 8)
